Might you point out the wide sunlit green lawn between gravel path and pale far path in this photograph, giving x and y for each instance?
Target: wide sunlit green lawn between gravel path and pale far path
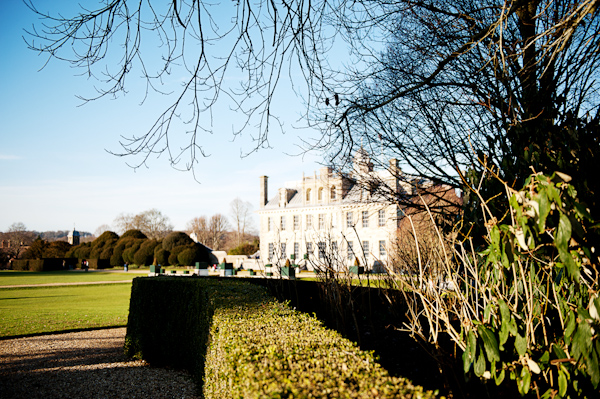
(25, 311)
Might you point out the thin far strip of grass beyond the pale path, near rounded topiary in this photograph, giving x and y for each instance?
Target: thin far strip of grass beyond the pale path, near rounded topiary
(9, 277)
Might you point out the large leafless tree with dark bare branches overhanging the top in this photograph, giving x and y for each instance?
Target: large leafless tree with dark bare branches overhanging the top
(445, 87)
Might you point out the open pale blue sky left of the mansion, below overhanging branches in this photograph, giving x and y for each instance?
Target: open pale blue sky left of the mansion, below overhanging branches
(55, 169)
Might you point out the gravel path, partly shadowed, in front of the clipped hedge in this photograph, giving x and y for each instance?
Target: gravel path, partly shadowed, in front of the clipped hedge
(88, 364)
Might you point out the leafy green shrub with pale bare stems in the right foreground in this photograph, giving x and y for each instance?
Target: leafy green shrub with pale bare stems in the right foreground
(526, 307)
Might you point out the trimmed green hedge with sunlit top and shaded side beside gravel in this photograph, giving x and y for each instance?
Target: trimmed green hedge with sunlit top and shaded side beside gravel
(258, 347)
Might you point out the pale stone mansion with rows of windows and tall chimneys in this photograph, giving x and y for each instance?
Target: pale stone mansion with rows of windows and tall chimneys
(332, 220)
